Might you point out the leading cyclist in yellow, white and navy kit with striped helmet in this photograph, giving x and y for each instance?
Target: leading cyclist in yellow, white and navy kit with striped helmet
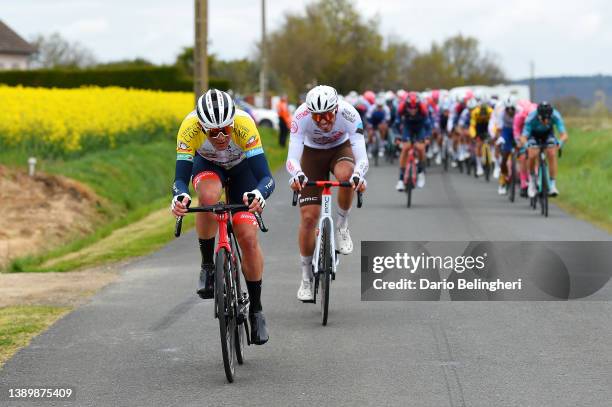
(217, 142)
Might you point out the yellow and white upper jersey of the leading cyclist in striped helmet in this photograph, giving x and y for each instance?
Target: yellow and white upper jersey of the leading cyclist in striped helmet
(245, 141)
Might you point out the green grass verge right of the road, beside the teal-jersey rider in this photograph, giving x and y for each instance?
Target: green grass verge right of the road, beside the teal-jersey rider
(585, 176)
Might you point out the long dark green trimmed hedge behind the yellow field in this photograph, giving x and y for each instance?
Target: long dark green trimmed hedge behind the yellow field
(167, 78)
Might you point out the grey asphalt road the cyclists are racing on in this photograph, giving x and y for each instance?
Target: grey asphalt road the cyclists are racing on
(148, 340)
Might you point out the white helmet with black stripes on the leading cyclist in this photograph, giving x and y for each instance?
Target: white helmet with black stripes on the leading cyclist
(215, 109)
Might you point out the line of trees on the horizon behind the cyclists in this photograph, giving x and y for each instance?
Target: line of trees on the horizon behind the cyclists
(329, 42)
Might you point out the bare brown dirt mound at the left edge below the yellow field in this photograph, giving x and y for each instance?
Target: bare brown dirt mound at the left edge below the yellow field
(41, 212)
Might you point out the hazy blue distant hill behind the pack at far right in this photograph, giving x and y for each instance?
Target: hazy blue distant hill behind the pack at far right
(582, 87)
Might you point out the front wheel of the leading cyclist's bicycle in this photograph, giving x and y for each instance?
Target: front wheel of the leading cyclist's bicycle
(226, 307)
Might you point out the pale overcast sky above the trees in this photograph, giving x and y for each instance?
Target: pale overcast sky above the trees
(562, 37)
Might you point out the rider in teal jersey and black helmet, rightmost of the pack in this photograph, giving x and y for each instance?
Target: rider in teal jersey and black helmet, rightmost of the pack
(540, 130)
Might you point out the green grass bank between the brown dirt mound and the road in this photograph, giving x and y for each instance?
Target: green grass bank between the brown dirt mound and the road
(135, 180)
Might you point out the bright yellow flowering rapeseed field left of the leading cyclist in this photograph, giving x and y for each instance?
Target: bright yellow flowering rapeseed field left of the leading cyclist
(67, 121)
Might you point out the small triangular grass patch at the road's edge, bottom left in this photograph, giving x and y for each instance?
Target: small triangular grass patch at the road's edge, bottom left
(19, 324)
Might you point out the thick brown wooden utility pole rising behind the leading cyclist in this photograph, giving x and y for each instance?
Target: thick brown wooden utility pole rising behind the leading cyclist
(200, 51)
